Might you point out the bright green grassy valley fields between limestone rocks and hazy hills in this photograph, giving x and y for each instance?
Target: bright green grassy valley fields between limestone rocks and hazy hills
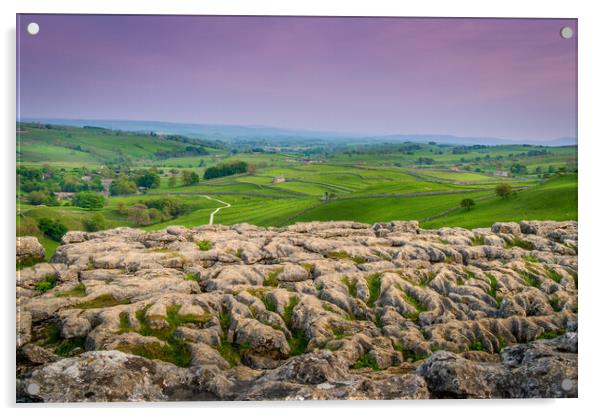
(370, 184)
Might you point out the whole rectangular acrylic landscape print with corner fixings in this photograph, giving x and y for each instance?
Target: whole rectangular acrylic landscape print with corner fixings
(287, 208)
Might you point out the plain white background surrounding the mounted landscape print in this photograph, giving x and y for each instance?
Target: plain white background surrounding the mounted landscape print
(590, 164)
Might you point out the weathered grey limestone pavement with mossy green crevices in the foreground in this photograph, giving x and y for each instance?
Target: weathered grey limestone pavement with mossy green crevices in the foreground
(323, 310)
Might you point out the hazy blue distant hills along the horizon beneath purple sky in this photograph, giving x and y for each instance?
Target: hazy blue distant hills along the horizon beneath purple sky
(229, 133)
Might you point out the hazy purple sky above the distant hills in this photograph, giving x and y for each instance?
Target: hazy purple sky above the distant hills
(472, 77)
